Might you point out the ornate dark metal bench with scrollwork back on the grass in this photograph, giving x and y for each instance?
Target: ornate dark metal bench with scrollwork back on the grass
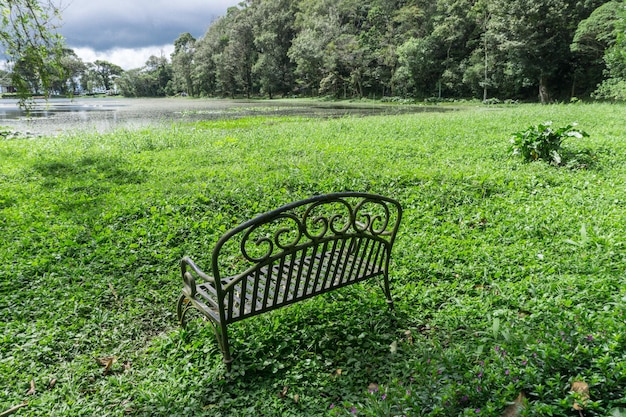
(290, 254)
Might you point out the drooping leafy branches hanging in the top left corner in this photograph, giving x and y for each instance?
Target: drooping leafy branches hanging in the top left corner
(31, 44)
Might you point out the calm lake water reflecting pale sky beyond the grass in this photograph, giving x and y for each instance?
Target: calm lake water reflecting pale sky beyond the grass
(58, 116)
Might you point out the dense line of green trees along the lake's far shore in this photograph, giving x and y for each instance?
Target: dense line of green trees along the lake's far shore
(419, 49)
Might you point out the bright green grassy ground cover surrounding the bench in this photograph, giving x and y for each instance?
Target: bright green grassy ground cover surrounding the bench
(508, 276)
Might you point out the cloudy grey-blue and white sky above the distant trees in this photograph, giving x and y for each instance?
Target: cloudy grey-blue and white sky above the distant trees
(127, 32)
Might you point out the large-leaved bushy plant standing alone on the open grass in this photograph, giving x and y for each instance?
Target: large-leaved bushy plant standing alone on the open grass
(542, 142)
